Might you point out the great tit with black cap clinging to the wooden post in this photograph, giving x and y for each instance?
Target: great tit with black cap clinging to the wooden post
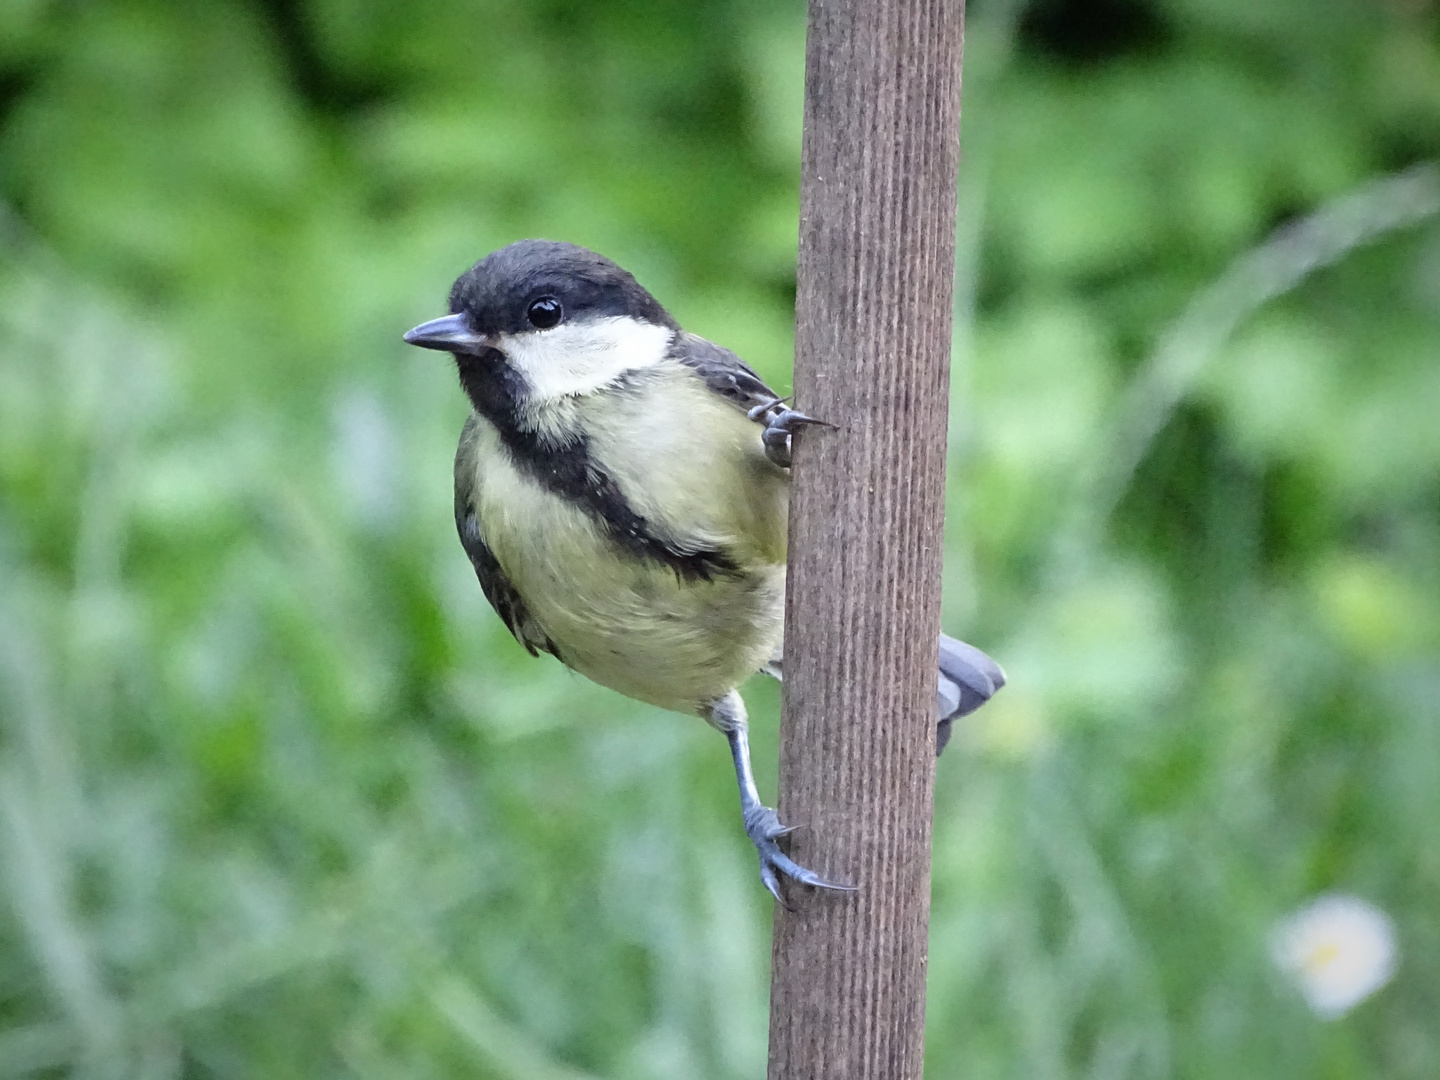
(621, 490)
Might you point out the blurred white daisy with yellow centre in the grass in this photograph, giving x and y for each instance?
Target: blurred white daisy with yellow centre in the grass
(1338, 951)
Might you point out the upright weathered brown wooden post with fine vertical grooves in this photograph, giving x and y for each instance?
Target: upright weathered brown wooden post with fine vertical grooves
(863, 608)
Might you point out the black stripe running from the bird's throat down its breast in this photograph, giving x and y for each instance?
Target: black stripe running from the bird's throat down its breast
(571, 472)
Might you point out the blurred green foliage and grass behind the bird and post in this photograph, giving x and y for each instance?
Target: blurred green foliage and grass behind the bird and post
(282, 798)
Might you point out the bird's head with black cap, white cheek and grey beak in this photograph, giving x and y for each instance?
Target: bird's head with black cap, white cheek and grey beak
(552, 319)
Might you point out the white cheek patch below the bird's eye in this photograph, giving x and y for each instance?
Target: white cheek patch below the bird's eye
(581, 358)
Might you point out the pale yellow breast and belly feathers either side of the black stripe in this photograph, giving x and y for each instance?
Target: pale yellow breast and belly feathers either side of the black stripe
(692, 466)
